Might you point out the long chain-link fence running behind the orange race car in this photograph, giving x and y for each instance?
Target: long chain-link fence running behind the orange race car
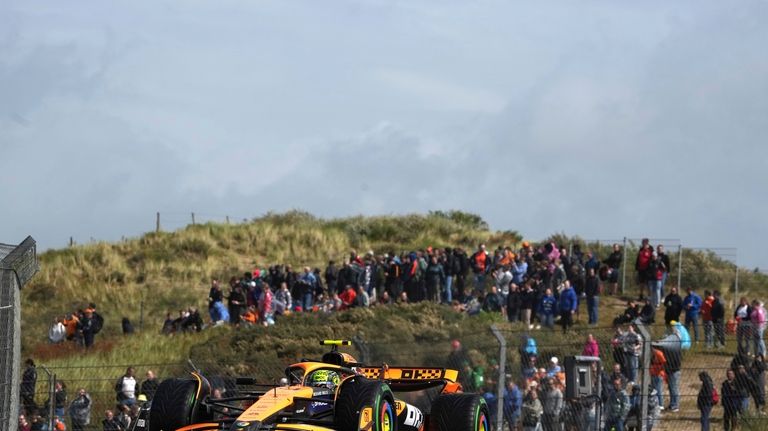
(539, 361)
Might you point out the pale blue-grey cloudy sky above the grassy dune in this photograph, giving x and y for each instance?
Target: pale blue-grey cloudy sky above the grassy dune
(602, 119)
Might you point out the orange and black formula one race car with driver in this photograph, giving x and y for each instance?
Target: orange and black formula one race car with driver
(334, 394)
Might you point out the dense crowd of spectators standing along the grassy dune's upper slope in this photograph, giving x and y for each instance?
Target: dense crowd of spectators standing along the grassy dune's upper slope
(531, 284)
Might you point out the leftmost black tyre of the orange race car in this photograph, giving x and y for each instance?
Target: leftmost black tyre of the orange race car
(174, 405)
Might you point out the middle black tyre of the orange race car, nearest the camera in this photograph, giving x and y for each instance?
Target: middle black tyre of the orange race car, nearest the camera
(358, 394)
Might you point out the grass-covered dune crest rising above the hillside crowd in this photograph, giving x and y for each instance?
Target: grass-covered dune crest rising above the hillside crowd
(164, 271)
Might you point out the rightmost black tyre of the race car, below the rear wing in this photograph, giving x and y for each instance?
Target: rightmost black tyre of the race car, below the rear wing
(459, 412)
